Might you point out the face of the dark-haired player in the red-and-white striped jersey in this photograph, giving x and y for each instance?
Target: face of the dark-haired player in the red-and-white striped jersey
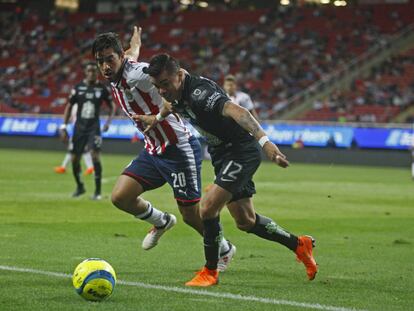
(109, 63)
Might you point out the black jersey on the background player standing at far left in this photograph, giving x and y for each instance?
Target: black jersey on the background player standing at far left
(89, 98)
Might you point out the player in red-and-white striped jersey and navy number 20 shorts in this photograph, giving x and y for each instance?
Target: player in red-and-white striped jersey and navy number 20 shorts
(171, 154)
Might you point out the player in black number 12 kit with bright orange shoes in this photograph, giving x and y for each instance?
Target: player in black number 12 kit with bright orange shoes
(233, 137)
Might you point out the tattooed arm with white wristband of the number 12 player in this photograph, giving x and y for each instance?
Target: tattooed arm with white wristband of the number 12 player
(244, 118)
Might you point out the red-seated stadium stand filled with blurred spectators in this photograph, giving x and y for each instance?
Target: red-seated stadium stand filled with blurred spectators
(275, 52)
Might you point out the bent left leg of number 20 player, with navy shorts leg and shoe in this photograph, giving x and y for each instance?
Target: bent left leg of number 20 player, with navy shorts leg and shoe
(139, 176)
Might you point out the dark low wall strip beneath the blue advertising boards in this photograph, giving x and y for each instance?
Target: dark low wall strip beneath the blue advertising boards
(331, 156)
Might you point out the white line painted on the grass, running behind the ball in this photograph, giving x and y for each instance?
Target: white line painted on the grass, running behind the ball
(315, 306)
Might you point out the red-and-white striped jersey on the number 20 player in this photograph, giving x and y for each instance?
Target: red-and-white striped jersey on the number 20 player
(135, 94)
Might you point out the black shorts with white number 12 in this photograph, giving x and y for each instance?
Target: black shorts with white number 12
(235, 166)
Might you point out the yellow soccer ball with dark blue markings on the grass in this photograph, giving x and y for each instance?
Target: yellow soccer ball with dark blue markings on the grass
(94, 279)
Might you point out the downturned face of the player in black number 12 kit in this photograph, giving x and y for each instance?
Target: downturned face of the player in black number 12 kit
(169, 85)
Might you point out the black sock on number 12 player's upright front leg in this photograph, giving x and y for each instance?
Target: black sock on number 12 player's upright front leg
(212, 236)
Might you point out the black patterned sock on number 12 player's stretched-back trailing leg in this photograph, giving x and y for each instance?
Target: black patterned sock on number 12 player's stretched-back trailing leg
(269, 230)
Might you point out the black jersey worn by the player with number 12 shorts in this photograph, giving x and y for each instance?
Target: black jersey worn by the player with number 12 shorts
(201, 105)
